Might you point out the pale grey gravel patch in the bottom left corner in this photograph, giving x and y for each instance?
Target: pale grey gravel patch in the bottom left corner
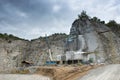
(22, 77)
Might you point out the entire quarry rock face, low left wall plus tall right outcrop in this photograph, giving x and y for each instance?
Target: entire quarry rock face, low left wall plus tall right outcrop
(86, 35)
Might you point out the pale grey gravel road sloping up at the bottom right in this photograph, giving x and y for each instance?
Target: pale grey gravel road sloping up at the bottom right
(109, 72)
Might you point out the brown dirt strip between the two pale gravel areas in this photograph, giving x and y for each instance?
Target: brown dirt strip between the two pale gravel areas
(65, 72)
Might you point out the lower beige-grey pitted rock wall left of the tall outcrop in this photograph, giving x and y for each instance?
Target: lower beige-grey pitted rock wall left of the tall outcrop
(13, 52)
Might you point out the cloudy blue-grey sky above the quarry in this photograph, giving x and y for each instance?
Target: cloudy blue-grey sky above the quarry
(30, 19)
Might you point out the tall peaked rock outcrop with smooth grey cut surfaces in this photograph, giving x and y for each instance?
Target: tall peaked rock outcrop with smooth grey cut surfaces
(96, 38)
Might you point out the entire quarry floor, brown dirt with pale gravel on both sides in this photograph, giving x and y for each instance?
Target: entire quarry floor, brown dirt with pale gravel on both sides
(85, 72)
